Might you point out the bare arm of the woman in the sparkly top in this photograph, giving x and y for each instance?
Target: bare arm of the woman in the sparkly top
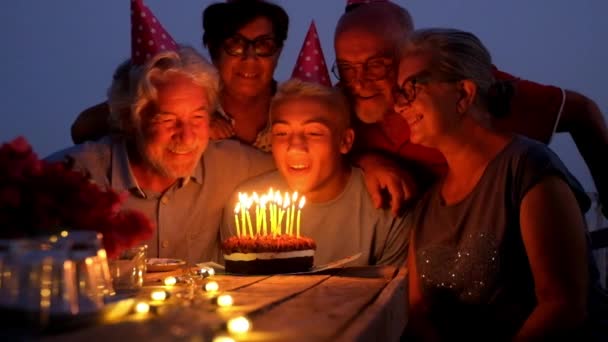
(553, 233)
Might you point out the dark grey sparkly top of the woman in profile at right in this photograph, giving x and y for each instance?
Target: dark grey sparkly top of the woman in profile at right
(471, 261)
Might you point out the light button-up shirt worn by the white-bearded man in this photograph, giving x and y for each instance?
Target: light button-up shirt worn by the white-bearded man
(187, 216)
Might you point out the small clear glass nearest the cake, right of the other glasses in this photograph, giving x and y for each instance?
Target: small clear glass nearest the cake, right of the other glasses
(129, 268)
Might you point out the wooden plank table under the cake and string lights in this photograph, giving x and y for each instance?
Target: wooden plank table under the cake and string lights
(347, 304)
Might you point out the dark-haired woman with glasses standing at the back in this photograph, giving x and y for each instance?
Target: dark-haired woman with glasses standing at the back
(244, 39)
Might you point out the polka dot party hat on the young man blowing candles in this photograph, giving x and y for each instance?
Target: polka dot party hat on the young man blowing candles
(311, 66)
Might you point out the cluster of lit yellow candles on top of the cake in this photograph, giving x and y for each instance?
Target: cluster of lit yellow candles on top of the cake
(275, 214)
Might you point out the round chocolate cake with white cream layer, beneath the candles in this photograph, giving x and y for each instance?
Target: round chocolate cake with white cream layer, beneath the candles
(268, 254)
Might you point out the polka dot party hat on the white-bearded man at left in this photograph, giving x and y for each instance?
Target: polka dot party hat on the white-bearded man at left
(148, 37)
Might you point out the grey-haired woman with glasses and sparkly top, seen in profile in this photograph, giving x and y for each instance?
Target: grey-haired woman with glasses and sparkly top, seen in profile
(499, 247)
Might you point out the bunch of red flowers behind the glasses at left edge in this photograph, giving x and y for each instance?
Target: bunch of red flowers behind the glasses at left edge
(39, 198)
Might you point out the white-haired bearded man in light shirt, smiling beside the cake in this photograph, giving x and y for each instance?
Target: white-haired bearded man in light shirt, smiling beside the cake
(164, 160)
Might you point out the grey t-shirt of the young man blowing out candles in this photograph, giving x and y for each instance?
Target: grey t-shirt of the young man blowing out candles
(342, 227)
